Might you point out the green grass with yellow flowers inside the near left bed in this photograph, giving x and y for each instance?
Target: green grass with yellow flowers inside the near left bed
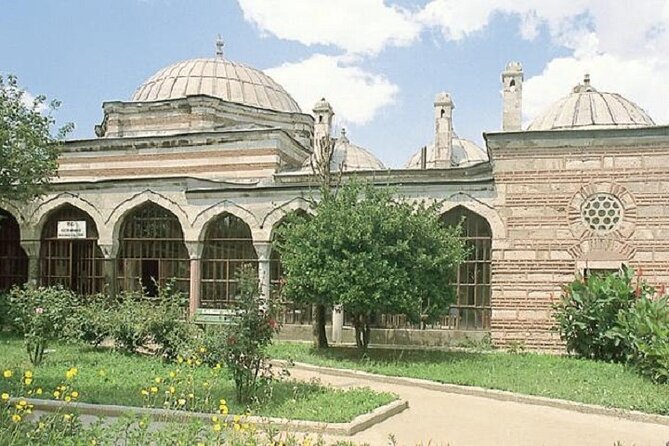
(109, 377)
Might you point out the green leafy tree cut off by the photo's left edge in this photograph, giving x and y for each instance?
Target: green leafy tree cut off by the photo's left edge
(28, 150)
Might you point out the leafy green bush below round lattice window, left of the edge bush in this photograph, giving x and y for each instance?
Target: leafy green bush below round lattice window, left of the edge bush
(588, 312)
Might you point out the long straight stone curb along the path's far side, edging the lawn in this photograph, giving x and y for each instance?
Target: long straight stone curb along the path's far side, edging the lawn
(500, 395)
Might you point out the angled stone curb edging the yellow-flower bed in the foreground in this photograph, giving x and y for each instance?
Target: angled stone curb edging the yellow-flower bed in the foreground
(358, 424)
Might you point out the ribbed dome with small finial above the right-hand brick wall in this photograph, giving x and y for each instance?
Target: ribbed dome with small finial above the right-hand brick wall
(587, 108)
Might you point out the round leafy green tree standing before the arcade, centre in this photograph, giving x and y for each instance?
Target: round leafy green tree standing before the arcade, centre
(372, 253)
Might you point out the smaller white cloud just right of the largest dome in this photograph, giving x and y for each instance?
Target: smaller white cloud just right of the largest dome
(355, 94)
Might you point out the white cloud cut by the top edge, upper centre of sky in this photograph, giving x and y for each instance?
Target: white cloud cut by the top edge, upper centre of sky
(356, 26)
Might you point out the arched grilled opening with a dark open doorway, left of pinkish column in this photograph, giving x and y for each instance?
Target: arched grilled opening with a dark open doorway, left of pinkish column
(152, 250)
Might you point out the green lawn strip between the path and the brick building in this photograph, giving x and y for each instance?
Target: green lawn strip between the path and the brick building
(592, 382)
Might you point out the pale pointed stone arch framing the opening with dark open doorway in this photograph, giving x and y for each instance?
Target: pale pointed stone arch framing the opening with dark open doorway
(120, 212)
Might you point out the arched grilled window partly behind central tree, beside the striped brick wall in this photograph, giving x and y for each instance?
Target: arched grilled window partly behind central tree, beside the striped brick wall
(472, 309)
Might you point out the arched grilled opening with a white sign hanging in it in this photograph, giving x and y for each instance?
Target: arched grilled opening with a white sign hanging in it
(69, 251)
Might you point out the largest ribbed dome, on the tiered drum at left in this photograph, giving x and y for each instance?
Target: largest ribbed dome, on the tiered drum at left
(219, 78)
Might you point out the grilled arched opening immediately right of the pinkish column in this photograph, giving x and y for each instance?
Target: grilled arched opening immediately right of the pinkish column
(228, 245)
